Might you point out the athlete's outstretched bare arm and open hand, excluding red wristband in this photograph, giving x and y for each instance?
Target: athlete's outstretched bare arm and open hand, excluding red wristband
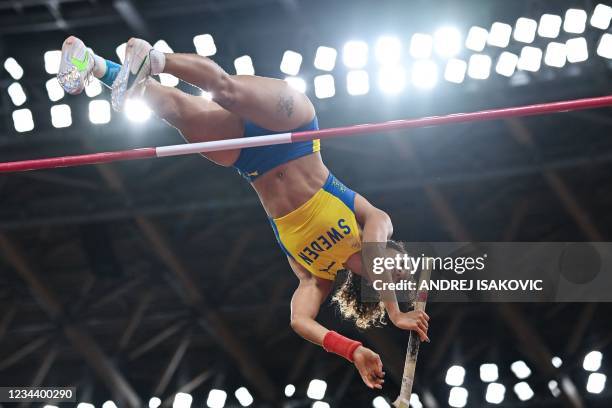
(305, 304)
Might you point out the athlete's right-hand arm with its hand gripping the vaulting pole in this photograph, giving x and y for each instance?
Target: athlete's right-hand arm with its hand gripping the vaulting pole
(377, 227)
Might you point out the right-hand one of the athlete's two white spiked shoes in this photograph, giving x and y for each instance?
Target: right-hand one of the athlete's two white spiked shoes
(133, 74)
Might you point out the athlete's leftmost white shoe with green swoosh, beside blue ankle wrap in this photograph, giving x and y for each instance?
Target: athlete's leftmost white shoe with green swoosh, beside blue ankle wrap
(76, 66)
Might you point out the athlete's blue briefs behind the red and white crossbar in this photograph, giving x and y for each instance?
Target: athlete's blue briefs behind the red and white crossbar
(255, 161)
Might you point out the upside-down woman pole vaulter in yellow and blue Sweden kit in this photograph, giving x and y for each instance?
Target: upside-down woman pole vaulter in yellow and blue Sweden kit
(319, 223)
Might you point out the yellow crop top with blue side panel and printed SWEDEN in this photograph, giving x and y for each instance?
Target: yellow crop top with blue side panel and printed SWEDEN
(323, 232)
